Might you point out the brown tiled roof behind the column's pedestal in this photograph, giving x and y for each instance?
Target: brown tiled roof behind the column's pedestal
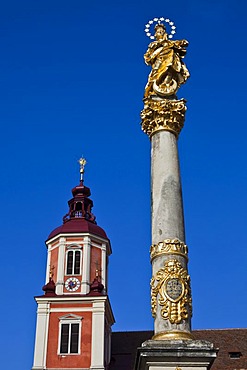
(232, 345)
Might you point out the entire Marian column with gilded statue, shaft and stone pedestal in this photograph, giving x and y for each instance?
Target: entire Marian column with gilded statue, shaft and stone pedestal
(162, 120)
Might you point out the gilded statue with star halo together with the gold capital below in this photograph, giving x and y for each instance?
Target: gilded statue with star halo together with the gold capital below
(162, 110)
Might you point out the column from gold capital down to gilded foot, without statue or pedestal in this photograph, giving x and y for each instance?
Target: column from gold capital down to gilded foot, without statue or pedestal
(162, 120)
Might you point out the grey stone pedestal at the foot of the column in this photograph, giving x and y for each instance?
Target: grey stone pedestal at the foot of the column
(175, 355)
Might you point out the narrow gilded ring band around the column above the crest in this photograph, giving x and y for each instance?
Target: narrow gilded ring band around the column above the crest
(169, 246)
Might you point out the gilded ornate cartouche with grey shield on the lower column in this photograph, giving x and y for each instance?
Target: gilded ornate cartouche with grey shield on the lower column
(172, 284)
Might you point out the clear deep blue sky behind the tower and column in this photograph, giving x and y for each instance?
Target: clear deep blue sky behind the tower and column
(72, 78)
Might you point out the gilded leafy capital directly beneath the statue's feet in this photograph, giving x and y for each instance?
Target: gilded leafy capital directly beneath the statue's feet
(163, 114)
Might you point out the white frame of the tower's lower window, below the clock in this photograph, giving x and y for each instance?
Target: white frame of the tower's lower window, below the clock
(69, 319)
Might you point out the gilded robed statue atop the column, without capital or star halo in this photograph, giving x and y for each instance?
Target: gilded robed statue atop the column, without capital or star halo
(168, 70)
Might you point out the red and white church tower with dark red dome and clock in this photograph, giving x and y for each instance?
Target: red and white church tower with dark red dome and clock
(74, 315)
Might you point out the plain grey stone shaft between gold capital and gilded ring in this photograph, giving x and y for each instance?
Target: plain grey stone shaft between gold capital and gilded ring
(167, 205)
